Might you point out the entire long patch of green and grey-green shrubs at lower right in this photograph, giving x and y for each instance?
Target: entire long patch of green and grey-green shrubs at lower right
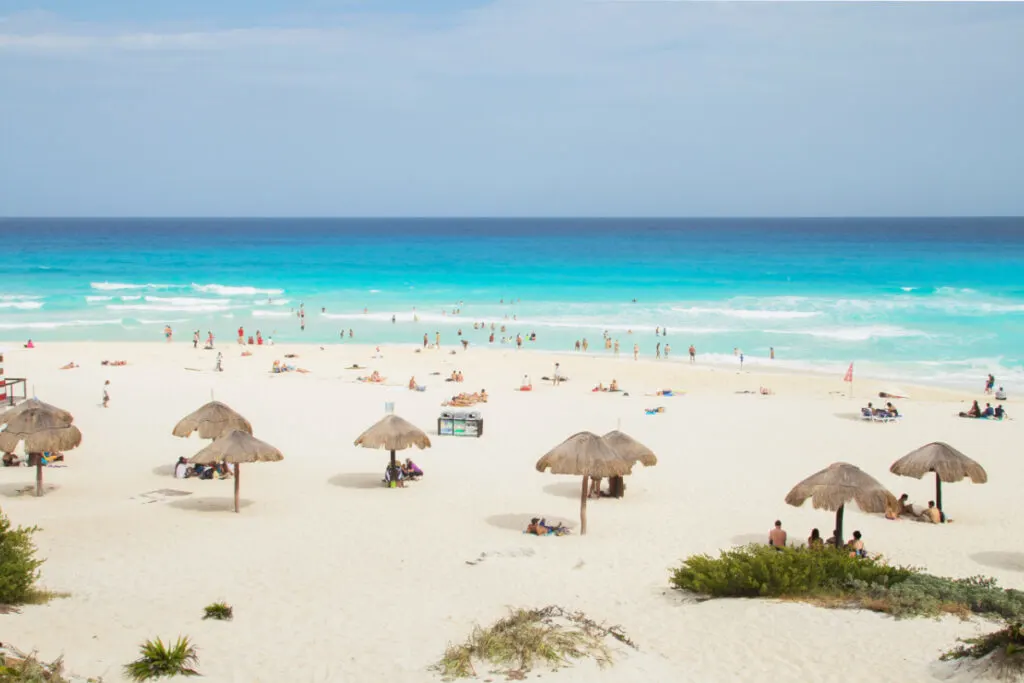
(831, 578)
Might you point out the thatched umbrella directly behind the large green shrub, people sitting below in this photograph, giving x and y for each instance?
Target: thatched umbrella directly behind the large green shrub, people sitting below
(835, 487)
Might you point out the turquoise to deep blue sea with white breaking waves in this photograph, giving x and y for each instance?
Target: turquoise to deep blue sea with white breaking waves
(936, 301)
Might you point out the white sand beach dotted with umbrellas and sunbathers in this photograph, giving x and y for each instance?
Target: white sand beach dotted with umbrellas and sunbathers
(334, 578)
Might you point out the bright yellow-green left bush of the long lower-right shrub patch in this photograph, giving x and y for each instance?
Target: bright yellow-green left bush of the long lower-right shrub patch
(758, 571)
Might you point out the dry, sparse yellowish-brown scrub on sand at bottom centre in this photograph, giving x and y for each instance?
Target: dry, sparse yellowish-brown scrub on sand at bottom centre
(517, 644)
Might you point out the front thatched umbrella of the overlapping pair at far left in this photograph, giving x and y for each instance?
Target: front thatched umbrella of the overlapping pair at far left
(44, 430)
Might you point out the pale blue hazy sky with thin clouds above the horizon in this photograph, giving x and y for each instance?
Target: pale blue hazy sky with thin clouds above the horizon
(510, 108)
